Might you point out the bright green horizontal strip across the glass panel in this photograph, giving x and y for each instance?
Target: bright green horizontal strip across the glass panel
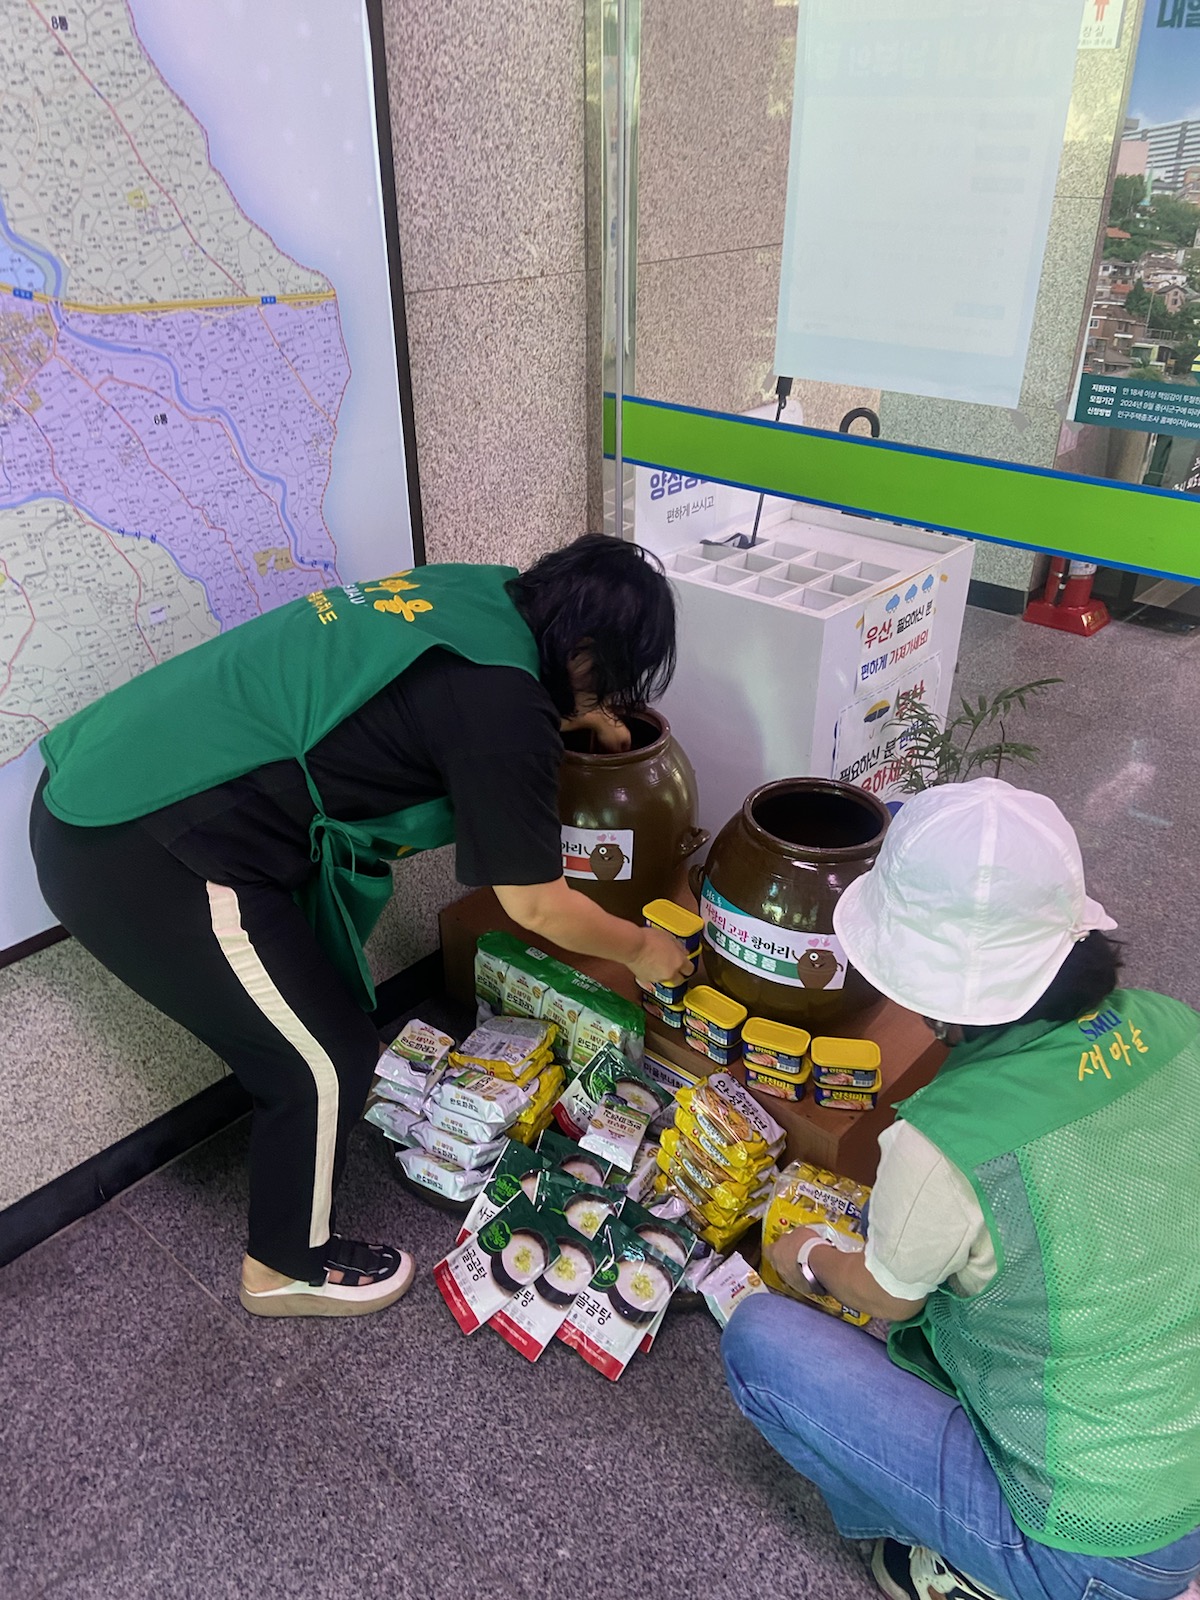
(1116, 524)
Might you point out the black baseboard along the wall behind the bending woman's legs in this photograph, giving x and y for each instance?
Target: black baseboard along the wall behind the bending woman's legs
(94, 1183)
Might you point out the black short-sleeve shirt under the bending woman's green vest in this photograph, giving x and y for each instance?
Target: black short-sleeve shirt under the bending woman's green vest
(484, 737)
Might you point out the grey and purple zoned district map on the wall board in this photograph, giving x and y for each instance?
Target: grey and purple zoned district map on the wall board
(170, 380)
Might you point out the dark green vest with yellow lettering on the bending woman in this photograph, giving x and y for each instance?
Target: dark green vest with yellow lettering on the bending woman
(271, 690)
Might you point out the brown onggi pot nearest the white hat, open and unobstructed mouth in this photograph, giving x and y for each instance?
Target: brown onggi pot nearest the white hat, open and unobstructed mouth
(769, 890)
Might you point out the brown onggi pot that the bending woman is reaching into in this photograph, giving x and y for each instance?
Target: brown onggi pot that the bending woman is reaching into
(630, 820)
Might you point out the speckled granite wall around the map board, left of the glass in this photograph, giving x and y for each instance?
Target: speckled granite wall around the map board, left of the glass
(487, 126)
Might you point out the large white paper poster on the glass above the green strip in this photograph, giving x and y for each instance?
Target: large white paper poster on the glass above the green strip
(926, 146)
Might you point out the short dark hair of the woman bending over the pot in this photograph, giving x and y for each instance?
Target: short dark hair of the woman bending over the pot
(610, 601)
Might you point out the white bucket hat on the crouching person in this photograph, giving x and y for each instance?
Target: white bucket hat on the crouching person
(974, 905)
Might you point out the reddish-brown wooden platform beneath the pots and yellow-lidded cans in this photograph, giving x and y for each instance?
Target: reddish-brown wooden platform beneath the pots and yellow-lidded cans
(844, 1142)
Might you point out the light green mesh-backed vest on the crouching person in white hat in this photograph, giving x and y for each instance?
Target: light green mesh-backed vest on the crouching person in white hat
(1079, 1364)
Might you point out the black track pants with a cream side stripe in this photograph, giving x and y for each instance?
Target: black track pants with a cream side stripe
(242, 970)
